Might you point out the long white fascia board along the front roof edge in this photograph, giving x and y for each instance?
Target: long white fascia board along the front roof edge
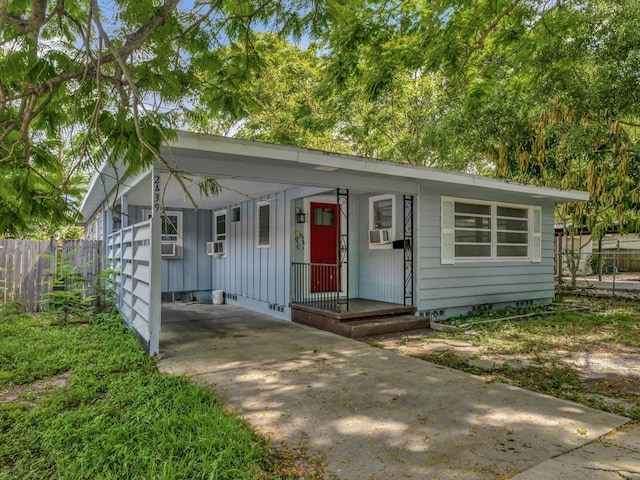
(233, 146)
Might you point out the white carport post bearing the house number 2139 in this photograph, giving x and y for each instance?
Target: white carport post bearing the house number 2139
(155, 268)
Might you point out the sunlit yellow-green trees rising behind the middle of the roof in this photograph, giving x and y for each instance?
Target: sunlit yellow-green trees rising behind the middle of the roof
(287, 97)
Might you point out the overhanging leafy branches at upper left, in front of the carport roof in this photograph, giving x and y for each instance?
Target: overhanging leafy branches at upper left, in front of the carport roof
(90, 82)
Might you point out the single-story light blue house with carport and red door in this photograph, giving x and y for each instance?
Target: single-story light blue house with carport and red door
(317, 237)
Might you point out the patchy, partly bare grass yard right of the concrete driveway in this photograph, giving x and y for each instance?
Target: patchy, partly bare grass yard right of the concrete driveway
(610, 326)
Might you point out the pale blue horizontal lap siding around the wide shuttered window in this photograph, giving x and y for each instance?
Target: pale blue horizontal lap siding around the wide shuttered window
(457, 288)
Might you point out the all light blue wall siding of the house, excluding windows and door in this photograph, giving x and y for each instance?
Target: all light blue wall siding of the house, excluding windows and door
(259, 278)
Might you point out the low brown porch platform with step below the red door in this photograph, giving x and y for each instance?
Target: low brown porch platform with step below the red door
(357, 317)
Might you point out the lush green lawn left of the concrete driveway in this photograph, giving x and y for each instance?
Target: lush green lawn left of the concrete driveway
(117, 417)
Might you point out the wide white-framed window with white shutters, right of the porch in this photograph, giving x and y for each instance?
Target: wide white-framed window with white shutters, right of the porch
(478, 231)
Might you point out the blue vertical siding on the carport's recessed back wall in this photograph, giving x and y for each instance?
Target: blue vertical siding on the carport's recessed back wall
(192, 272)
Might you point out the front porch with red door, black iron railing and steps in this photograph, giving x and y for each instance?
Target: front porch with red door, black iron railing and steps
(327, 287)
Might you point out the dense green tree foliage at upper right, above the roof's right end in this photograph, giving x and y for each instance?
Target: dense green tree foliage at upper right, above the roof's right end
(546, 91)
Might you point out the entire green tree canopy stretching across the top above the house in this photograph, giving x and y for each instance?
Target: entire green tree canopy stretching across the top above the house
(542, 91)
